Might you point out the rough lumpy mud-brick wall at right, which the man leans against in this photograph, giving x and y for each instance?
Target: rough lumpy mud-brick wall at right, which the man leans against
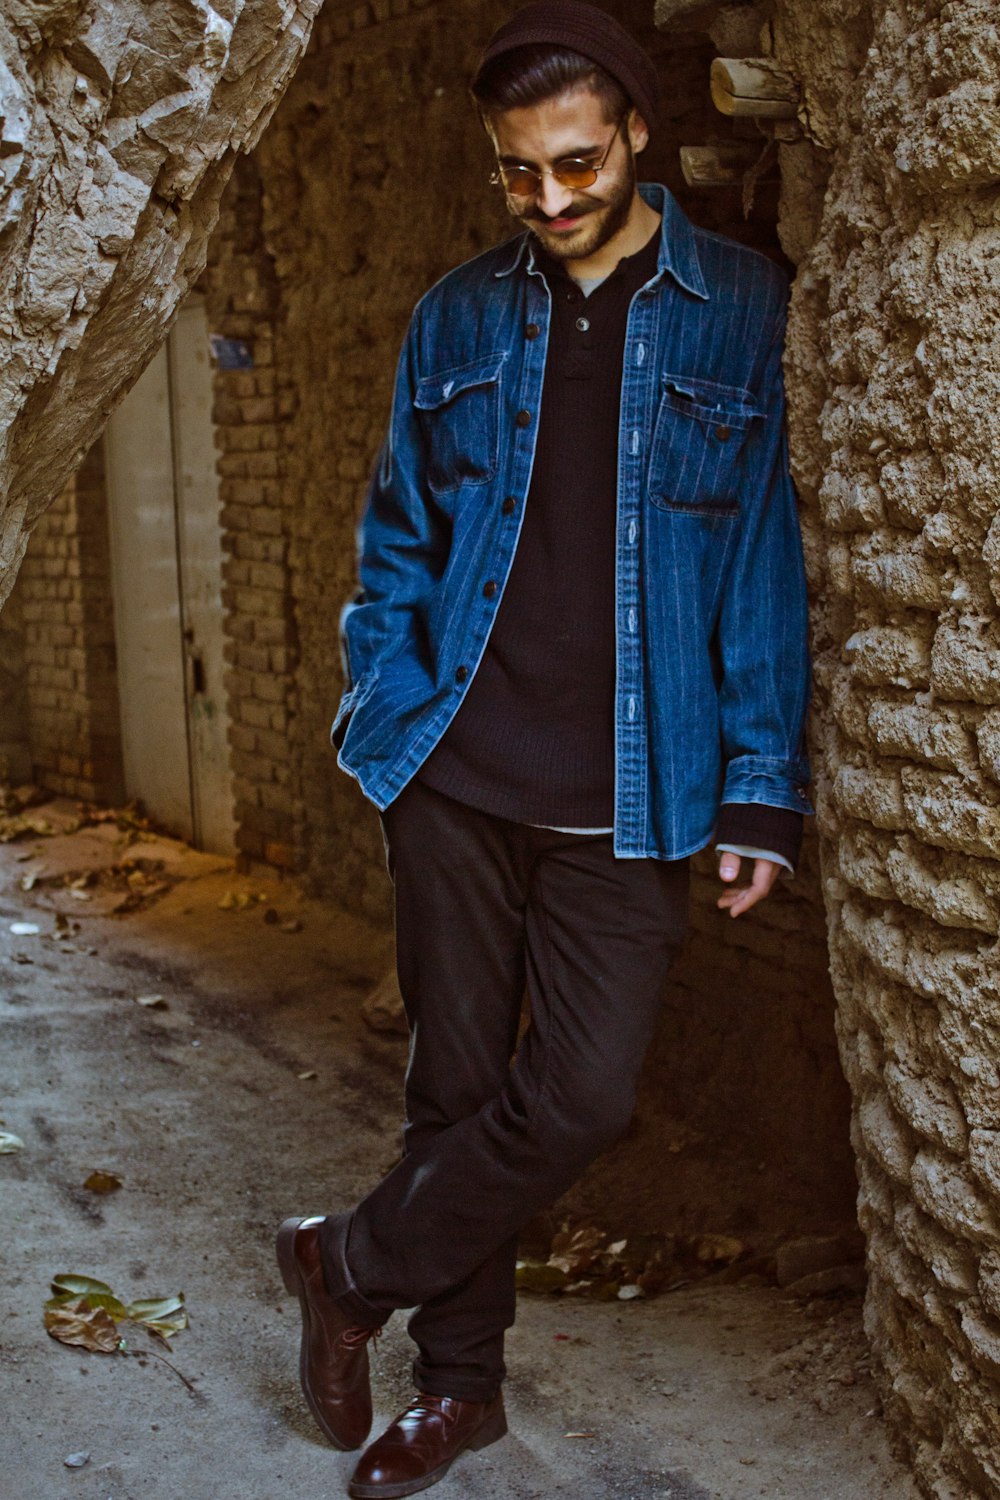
(894, 365)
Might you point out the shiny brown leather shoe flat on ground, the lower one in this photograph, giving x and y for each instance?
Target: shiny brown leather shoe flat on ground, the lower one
(422, 1445)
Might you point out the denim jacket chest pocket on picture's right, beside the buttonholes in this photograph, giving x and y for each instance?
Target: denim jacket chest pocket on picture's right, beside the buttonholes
(698, 445)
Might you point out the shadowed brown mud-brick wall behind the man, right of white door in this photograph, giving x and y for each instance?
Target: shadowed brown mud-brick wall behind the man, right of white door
(373, 184)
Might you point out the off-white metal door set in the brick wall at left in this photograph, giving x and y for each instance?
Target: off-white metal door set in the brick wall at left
(167, 581)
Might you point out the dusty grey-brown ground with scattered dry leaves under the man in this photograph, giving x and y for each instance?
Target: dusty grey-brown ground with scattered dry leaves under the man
(250, 1091)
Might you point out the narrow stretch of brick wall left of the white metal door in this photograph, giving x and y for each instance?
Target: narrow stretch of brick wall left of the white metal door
(64, 601)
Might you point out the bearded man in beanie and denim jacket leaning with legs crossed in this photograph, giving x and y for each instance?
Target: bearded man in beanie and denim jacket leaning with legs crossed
(578, 656)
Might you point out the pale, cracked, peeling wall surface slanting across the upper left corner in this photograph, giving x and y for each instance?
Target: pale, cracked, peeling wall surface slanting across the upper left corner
(119, 127)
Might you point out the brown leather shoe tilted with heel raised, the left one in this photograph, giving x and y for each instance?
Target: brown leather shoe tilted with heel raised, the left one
(334, 1358)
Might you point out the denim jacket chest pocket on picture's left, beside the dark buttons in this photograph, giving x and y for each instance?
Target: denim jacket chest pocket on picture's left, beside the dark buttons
(460, 415)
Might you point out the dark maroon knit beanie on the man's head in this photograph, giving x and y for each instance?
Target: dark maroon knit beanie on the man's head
(588, 31)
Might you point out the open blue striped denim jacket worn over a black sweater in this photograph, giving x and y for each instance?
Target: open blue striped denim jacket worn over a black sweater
(711, 632)
